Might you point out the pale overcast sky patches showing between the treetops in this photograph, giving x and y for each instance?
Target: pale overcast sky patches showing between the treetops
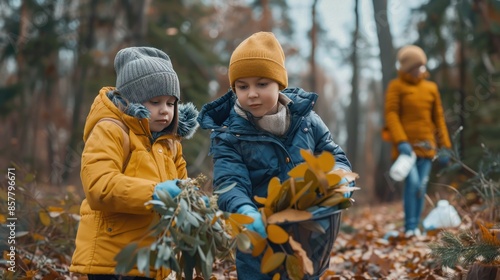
(337, 17)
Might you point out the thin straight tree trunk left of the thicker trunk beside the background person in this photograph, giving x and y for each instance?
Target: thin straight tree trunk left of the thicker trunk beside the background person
(353, 120)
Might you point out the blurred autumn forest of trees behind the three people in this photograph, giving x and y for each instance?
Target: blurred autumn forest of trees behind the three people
(55, 55)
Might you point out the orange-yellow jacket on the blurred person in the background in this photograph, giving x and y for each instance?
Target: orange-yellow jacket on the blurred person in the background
(413, 113)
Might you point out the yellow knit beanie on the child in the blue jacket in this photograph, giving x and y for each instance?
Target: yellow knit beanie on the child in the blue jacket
(260, 55)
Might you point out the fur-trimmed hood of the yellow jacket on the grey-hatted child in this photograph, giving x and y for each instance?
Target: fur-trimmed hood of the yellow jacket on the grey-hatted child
(108, 104)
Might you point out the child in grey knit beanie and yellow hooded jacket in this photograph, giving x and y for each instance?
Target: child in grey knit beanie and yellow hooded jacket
(141, 113)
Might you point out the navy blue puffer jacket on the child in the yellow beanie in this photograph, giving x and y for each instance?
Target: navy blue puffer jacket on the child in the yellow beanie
(250, 157)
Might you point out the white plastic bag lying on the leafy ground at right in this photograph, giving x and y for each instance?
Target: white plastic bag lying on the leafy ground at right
(443, 215)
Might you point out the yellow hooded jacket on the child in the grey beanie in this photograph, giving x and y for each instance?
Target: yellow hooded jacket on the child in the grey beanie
(113, 214)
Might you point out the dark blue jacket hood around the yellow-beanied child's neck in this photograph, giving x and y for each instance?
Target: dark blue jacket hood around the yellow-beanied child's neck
(213, 115)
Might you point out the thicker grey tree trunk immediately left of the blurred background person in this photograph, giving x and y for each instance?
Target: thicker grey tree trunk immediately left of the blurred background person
(388, 62)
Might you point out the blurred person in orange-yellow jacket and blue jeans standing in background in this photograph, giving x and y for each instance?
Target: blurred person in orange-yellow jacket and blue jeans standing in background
(415, 121)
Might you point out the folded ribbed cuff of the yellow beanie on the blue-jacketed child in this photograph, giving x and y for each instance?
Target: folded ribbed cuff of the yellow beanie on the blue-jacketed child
(258, 67)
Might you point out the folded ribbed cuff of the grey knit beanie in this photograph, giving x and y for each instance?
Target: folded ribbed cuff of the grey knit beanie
(150, 86)
